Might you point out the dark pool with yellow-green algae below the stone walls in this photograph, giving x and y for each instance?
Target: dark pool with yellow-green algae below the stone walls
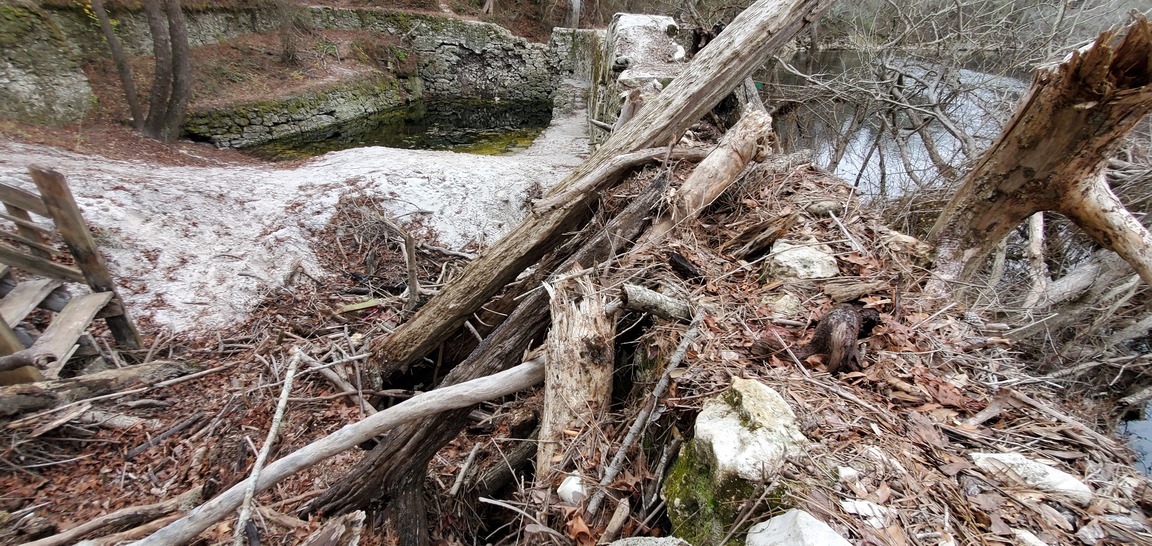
(463, 126)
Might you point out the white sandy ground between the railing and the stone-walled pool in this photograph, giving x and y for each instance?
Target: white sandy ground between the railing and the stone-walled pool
(195, 248)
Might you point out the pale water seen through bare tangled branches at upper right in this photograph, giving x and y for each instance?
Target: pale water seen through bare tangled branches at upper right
(890, 124)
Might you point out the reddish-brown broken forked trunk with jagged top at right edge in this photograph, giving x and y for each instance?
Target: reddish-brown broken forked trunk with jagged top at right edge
(1052, 157)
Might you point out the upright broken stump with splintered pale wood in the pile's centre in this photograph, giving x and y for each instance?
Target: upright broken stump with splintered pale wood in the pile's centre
(578, 370)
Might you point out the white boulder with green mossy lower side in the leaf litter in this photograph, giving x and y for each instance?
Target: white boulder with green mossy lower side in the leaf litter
(744, 438)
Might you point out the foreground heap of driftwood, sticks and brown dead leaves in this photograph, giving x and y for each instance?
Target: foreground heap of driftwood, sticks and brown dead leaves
(663, 300)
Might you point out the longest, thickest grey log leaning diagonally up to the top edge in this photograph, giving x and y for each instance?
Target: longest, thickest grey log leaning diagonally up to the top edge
(764, 27)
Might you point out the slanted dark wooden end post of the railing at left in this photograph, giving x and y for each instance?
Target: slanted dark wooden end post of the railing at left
(71, 224)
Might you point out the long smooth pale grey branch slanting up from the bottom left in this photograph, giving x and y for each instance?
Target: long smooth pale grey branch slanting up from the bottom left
(463, 396)
